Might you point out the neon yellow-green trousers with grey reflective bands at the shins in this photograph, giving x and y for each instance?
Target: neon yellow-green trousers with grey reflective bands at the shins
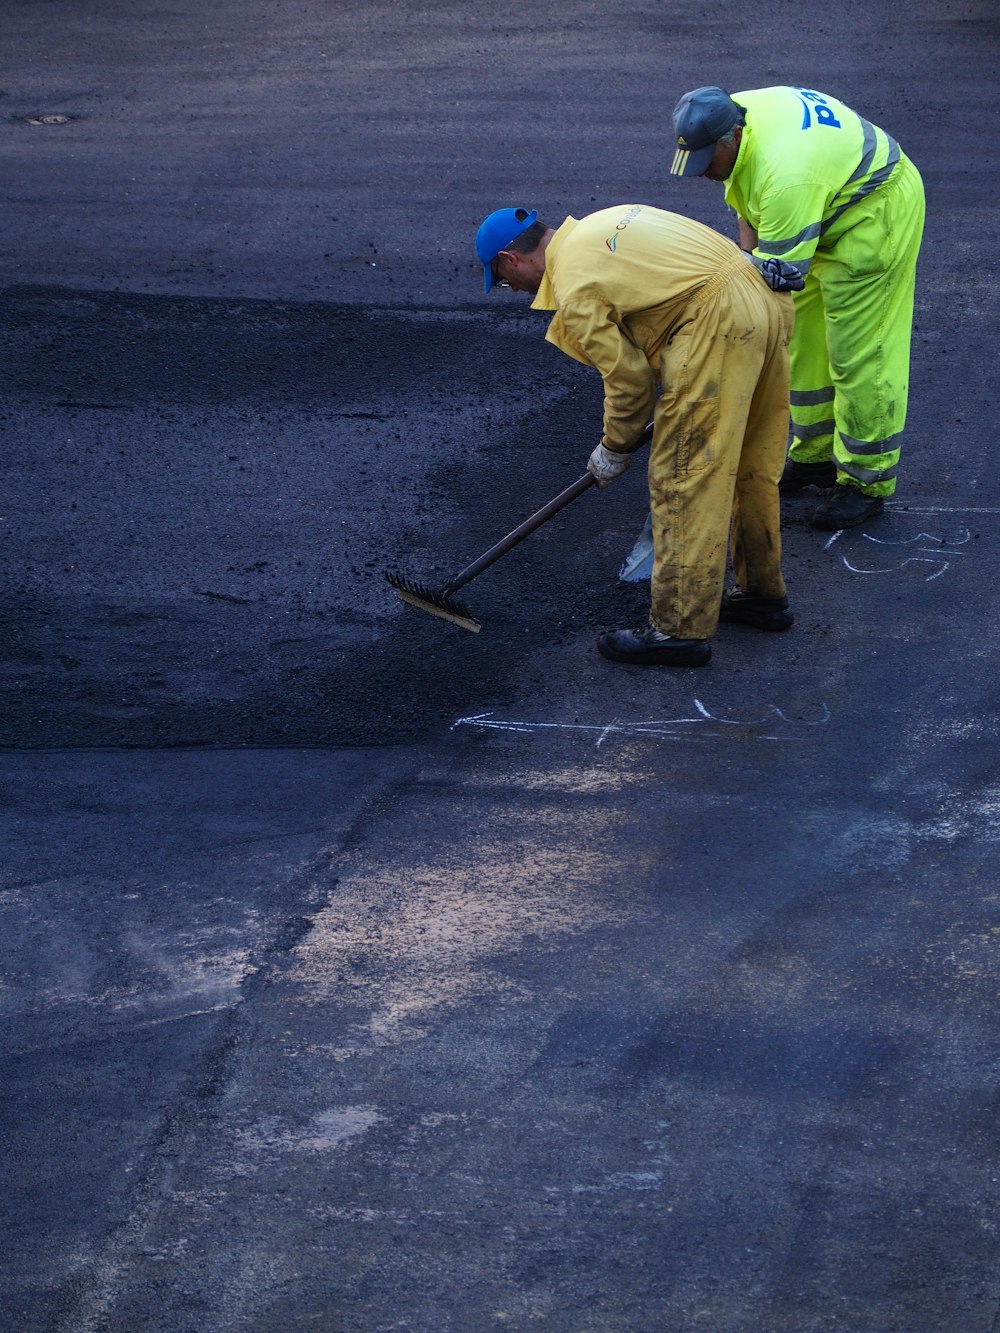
(853, 333)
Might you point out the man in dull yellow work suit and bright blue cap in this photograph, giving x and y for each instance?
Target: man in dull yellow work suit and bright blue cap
(683, 330)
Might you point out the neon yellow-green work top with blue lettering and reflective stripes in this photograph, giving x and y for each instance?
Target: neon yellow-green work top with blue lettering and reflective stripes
(805, 161)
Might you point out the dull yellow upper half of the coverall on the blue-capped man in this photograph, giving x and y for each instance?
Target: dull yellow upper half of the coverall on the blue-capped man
(622, 282)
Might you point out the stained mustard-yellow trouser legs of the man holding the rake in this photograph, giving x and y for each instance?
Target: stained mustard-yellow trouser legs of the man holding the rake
(719, 446)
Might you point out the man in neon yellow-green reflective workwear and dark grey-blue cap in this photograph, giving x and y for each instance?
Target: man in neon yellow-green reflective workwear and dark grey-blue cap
(829, 207)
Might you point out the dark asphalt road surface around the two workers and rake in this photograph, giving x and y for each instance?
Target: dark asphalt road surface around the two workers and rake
(361, 974)
